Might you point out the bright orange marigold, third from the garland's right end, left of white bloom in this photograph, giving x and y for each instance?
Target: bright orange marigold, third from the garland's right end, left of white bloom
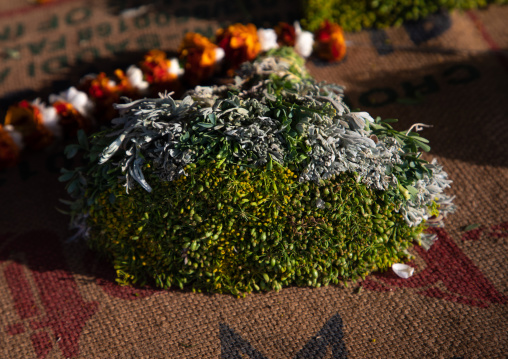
(240, 44)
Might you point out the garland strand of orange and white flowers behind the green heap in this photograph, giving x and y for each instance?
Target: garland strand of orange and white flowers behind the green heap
(36, 125)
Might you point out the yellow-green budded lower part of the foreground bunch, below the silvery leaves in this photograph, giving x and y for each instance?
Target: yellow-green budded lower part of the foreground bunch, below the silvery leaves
(233, 229)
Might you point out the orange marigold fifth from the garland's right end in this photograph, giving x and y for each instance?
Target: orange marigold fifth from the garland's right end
(157, 68)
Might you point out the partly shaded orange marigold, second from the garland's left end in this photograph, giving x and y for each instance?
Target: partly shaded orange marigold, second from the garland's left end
(27, 119)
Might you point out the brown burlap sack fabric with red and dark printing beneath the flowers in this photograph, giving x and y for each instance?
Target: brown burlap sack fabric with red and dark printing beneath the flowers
(58, 300)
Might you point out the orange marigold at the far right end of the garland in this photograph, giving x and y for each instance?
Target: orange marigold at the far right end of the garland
(330, 42)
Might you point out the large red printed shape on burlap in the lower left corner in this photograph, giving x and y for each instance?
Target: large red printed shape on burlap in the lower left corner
(54, 302)
